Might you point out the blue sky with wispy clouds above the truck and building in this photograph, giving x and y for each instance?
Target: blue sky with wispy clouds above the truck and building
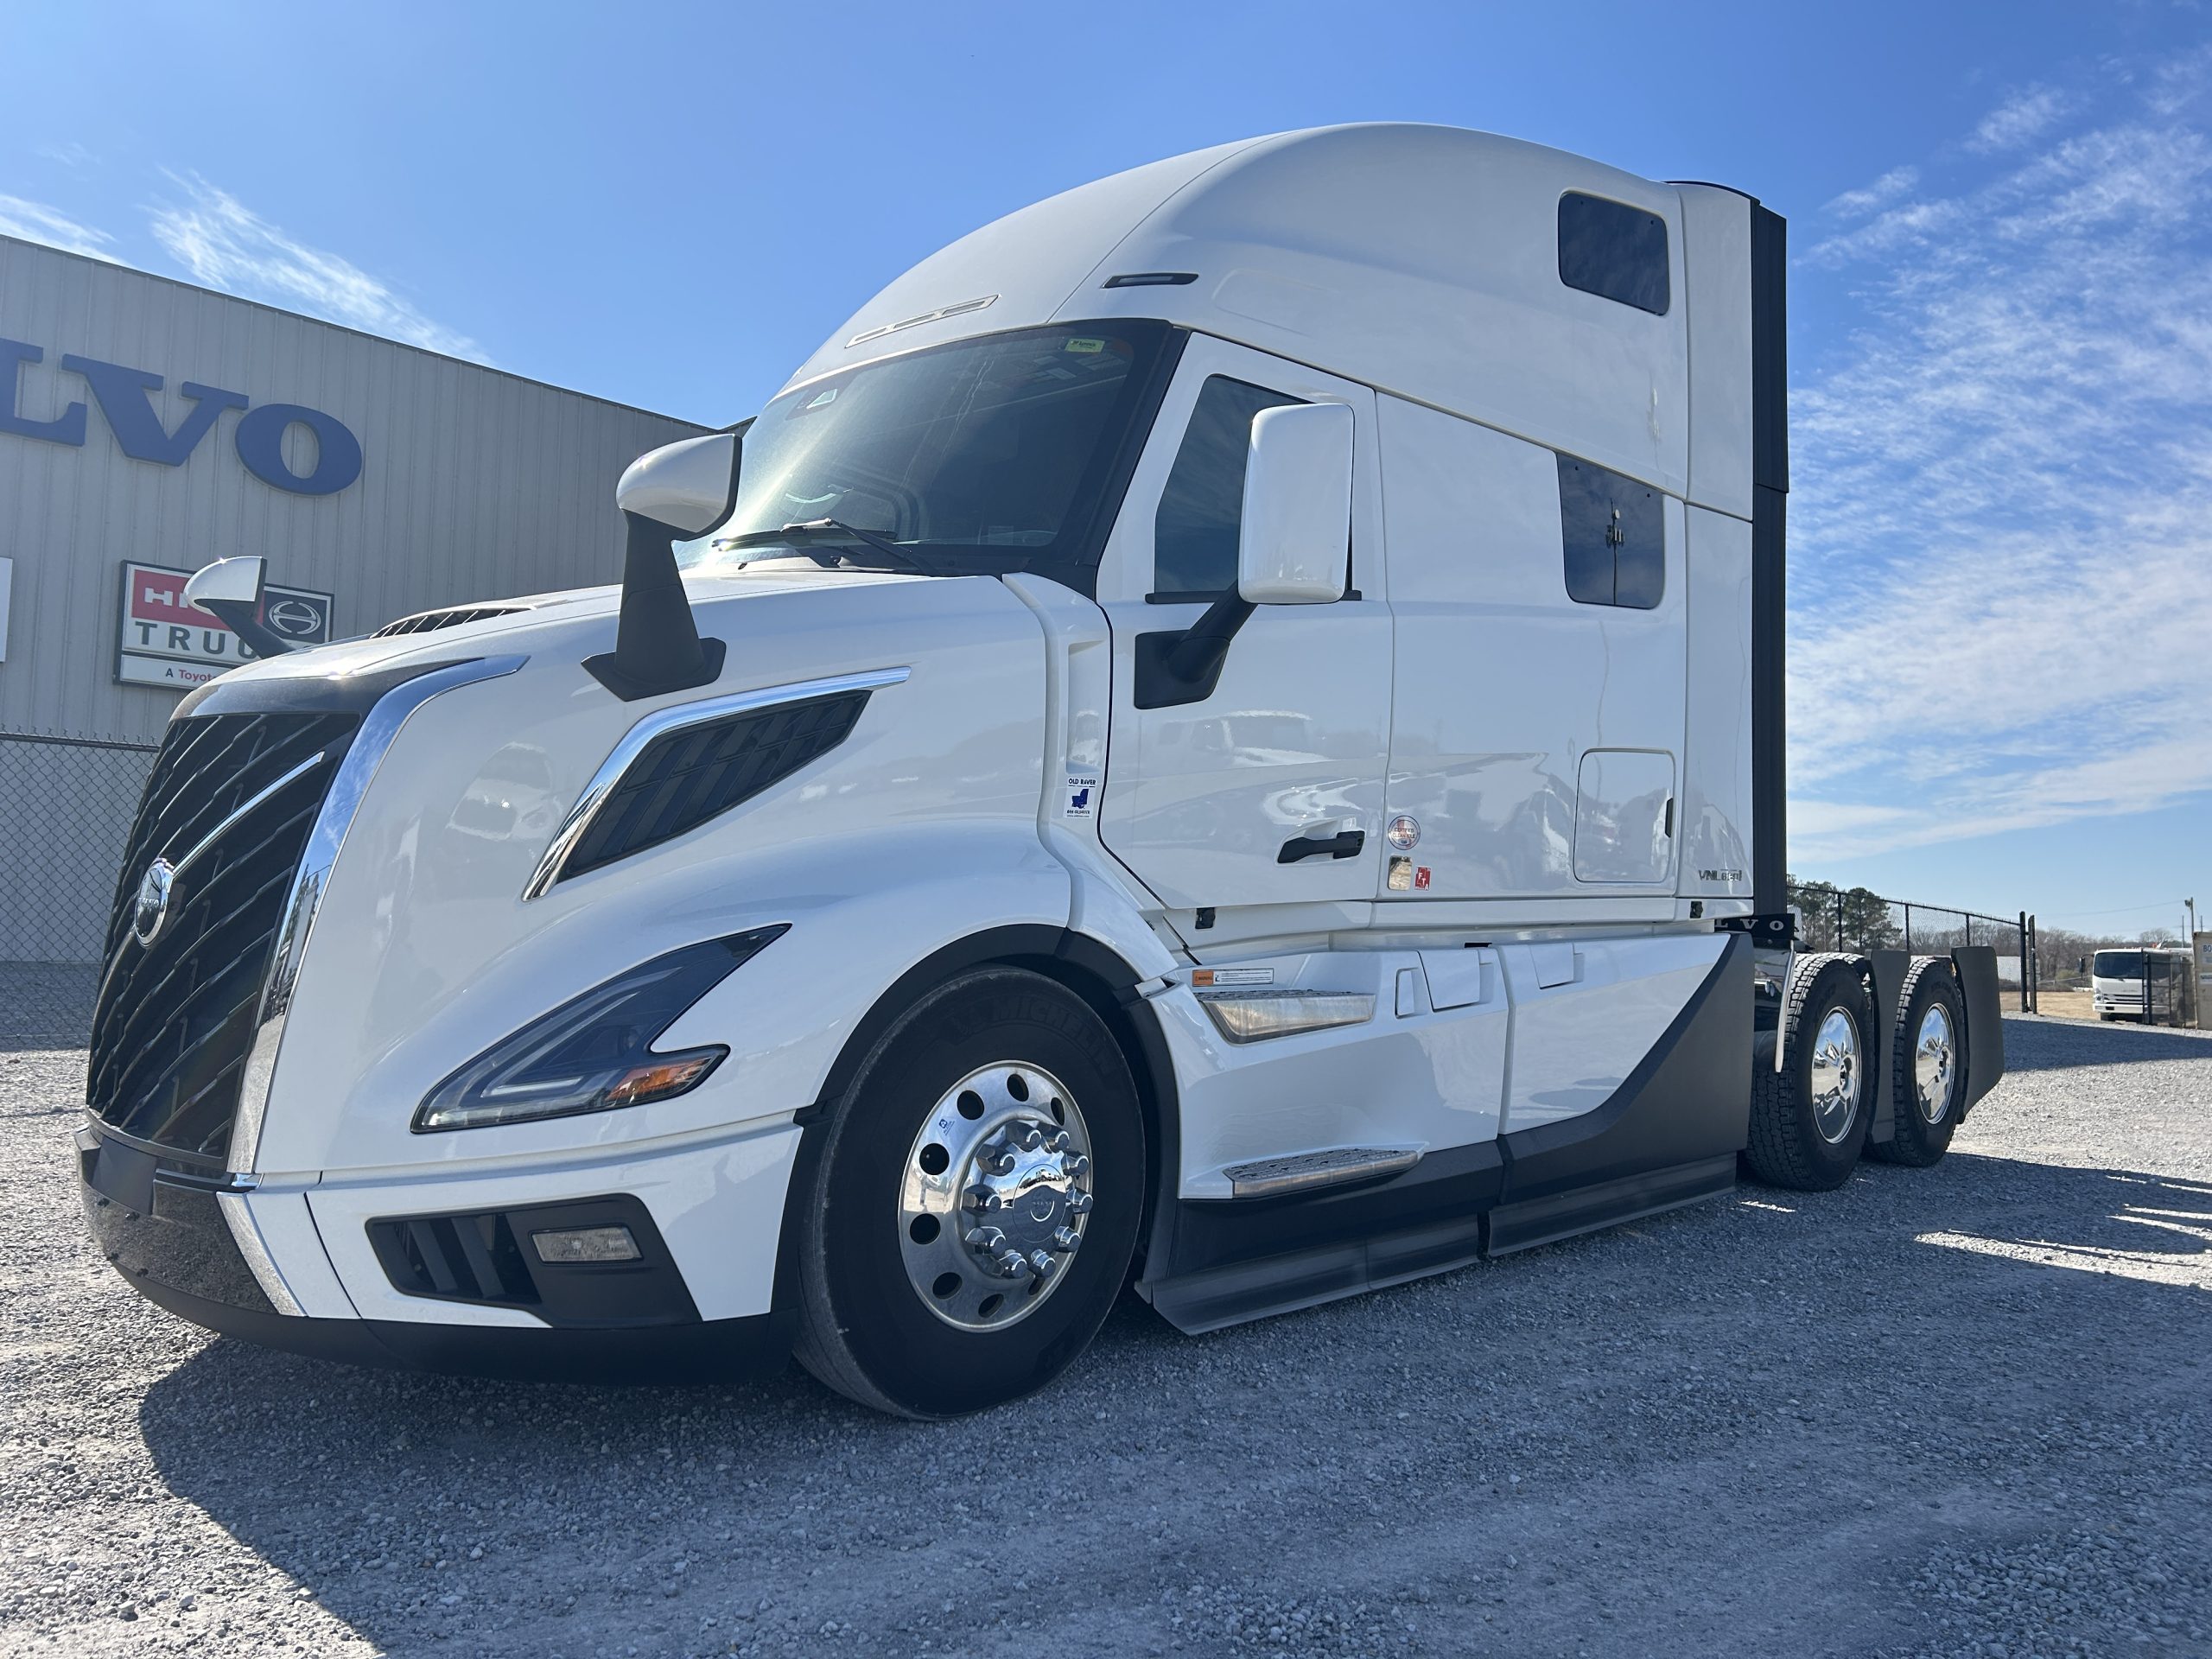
(2001, 295)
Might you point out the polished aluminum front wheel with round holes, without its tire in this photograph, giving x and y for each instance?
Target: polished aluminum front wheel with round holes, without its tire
(997, 1196)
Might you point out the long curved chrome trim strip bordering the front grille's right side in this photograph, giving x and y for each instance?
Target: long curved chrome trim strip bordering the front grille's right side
(377, 733)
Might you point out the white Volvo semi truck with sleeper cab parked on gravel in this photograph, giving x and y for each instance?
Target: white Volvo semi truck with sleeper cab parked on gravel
(1224, 735)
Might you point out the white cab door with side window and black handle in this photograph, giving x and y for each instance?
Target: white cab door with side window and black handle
(1266, 791)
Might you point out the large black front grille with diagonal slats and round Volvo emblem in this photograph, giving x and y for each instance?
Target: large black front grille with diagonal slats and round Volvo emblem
(176, 1019)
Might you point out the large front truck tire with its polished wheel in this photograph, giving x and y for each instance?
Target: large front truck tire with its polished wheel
(977, 1202)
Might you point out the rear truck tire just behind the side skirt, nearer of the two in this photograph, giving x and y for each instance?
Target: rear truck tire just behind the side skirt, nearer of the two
(1811, 1116)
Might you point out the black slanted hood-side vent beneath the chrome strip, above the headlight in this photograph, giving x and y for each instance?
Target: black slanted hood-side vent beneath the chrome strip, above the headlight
(689, 775)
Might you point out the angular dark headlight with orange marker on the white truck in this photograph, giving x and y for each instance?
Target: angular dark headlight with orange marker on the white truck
(596, 1052)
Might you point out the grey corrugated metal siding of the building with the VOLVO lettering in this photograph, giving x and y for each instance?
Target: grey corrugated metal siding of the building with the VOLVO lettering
(474, 483)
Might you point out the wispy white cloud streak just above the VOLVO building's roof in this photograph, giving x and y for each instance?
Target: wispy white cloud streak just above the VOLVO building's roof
(225, 244)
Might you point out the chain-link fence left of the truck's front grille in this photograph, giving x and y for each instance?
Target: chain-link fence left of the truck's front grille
(70, 808)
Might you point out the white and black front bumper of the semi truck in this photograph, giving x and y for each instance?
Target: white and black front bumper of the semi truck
(439, 1275)
